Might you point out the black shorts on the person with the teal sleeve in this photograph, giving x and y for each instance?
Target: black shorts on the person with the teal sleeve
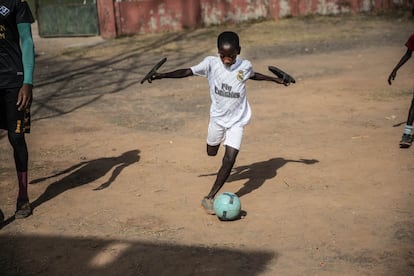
(12, 119)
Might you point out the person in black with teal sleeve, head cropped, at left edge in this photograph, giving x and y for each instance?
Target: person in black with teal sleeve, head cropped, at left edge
(16, 74)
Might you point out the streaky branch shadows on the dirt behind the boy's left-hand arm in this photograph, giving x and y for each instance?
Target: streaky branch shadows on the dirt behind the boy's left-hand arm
(75, 79)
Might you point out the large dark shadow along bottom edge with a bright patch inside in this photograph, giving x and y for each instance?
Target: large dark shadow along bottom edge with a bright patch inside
(93, 256)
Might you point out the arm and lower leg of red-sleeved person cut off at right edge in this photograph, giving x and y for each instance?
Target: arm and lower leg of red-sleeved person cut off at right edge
(407, 136)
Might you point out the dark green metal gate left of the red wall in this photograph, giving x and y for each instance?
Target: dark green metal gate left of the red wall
(67, 18)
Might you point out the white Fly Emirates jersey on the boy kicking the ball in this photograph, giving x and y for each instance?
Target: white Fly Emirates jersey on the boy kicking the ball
(229, 103)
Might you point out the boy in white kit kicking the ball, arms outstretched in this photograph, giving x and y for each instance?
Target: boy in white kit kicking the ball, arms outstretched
(229, 110)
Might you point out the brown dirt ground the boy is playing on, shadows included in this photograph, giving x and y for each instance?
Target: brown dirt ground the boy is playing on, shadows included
(118, 169)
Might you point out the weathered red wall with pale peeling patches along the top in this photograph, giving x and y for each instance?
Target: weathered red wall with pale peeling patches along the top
(119, 17)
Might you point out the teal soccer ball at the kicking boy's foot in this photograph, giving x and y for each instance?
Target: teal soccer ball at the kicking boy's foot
(227, 206)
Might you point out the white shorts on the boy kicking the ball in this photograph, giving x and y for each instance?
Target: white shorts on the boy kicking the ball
(231, 136)
